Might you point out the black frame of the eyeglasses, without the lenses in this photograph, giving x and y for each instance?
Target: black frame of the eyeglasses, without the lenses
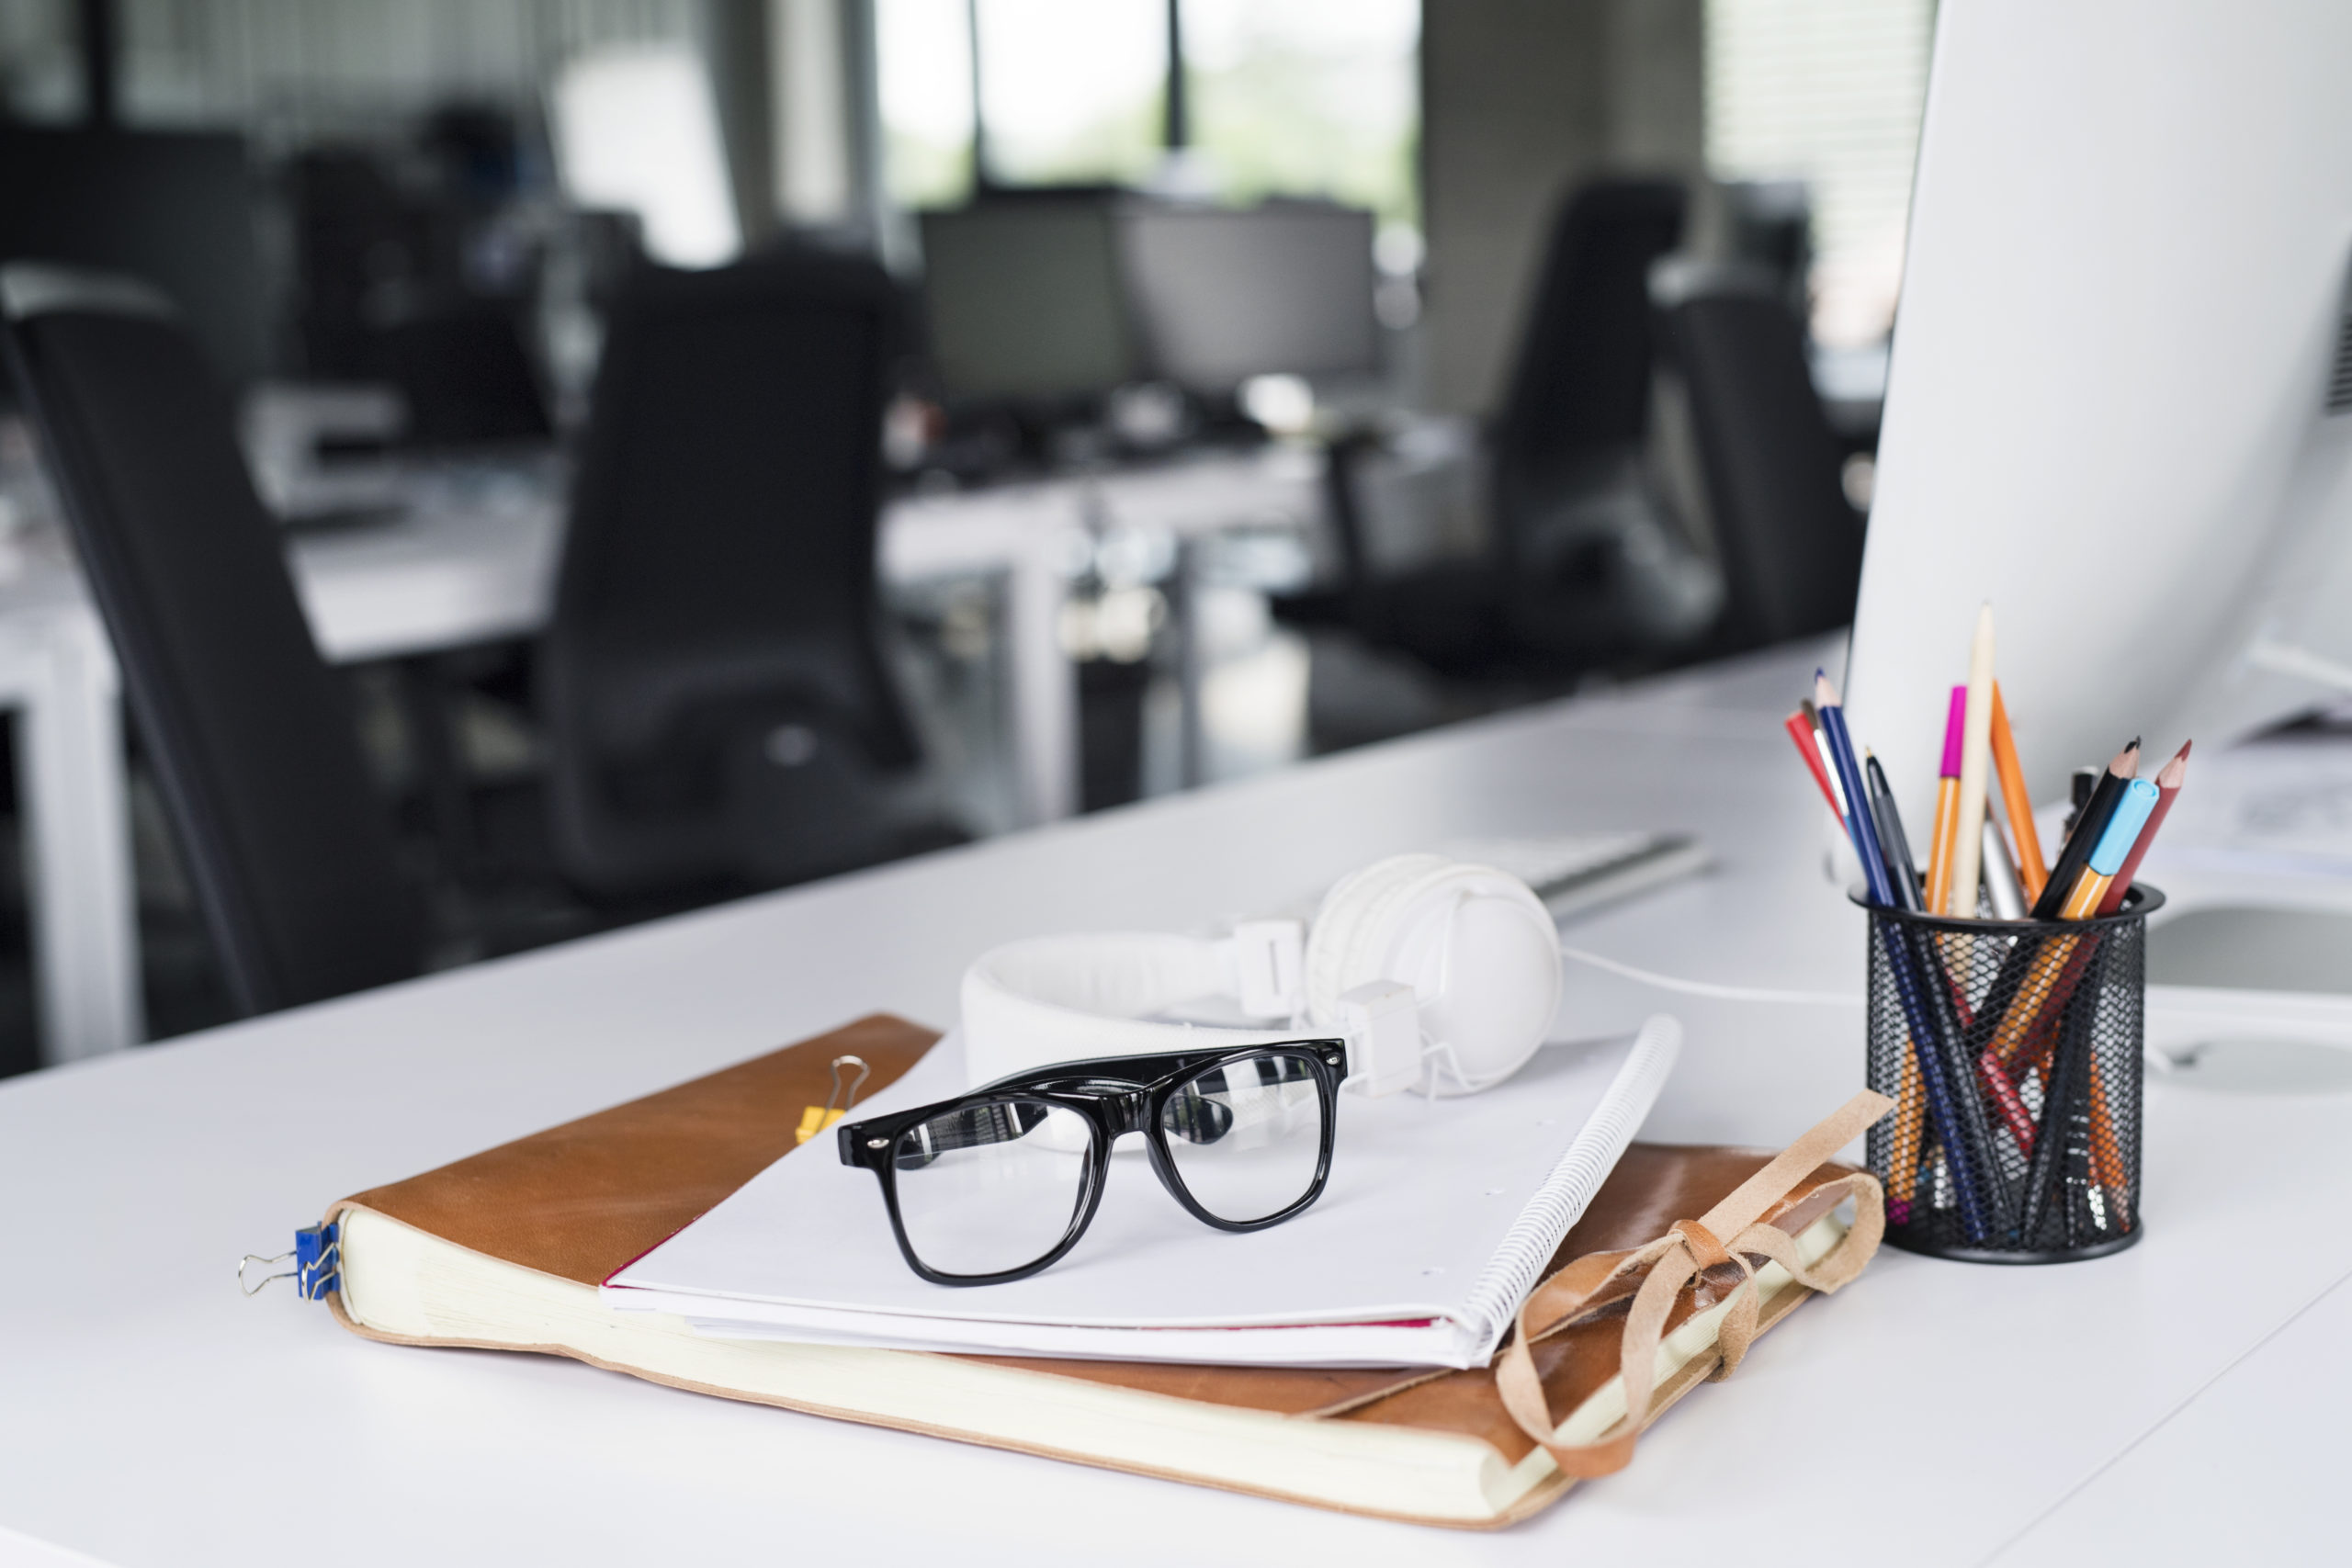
(1116, 1097)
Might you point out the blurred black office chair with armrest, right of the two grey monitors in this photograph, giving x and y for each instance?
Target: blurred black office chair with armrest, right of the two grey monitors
(1582, 568)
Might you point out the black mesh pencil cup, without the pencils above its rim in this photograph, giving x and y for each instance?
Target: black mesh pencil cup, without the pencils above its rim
(2012, 1052)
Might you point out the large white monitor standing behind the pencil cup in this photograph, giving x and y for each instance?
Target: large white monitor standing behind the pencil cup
(2123, 382)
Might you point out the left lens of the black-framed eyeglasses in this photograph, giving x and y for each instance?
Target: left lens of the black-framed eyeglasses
(989, 1188)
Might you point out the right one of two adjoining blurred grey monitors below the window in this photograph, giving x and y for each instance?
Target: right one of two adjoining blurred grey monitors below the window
(1227, 295)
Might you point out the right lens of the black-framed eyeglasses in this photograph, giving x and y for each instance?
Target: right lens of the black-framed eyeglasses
(1248, 1137)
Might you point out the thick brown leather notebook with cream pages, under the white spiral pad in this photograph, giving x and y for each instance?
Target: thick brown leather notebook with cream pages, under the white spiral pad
(507, 1252)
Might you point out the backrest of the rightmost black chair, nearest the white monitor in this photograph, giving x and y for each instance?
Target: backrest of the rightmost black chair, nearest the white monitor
(1789, 540)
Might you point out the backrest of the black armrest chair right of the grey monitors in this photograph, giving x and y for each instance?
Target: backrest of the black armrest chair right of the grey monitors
(1579, 389)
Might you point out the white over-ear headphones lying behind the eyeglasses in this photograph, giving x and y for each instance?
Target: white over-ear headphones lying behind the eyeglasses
(1438, 974)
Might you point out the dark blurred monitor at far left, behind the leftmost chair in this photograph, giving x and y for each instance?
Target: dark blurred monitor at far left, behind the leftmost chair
(173, 208)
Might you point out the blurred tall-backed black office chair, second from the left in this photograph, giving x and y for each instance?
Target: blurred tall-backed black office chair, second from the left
(714, 681)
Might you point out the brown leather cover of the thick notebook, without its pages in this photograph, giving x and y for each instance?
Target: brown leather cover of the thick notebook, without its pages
(587, 1198)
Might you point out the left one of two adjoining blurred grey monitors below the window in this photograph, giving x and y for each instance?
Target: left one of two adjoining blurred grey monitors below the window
(1027, 302)
